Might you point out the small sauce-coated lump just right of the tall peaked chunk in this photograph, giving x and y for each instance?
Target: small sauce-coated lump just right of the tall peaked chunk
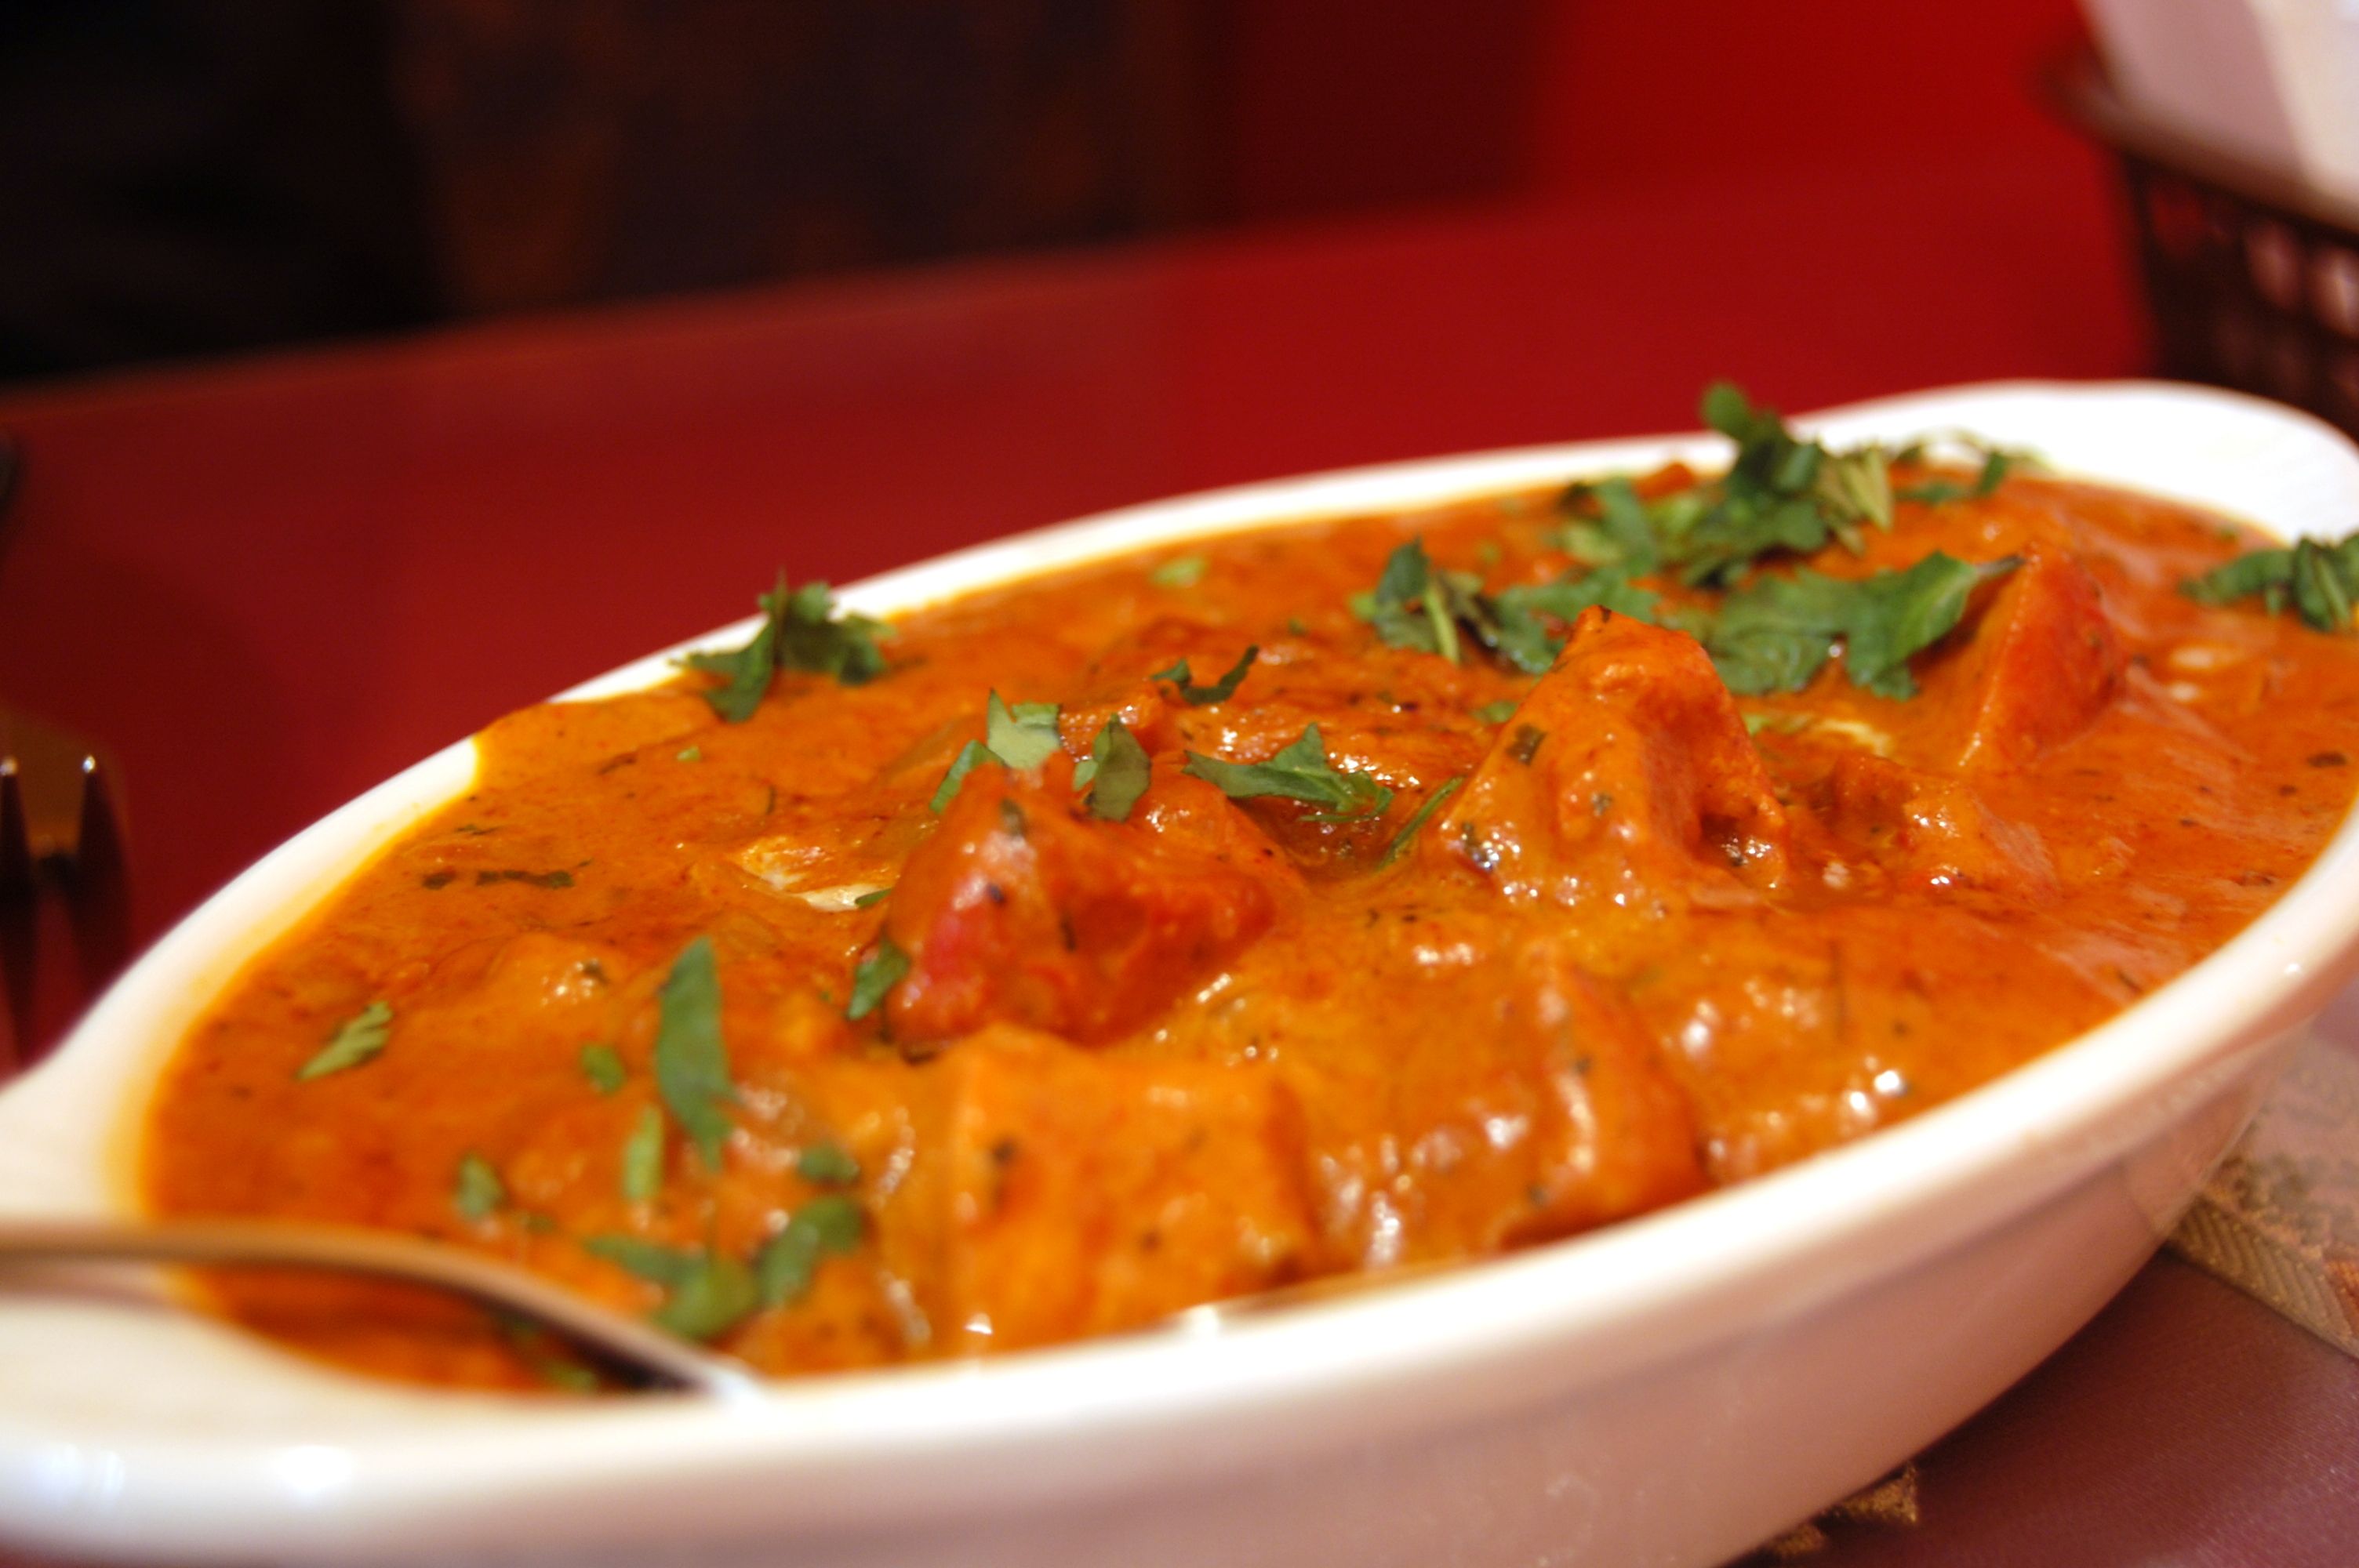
(1931, 831)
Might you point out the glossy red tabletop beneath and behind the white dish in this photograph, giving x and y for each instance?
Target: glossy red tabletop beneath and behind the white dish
(272, 584)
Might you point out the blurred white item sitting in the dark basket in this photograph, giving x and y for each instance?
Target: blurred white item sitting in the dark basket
(2273, 81)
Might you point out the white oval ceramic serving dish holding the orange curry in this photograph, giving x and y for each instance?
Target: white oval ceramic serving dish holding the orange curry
(1662, 1392)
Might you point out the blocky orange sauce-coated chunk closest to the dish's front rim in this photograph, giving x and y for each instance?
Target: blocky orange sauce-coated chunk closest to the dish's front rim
(1072, 1194)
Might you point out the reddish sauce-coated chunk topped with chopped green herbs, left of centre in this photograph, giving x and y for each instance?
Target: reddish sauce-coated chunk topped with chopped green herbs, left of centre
(1023, 909)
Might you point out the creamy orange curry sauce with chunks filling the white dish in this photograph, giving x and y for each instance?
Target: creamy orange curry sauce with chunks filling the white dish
(1674, 942)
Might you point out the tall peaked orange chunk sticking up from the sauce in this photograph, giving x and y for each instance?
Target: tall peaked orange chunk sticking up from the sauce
(1624, 777)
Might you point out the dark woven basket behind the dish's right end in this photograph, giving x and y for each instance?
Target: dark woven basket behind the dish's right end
(2252, 275)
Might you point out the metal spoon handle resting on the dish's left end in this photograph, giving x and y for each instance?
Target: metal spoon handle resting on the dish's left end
(636, 1352)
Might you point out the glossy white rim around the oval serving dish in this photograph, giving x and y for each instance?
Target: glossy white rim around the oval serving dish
(2202, 1027)
